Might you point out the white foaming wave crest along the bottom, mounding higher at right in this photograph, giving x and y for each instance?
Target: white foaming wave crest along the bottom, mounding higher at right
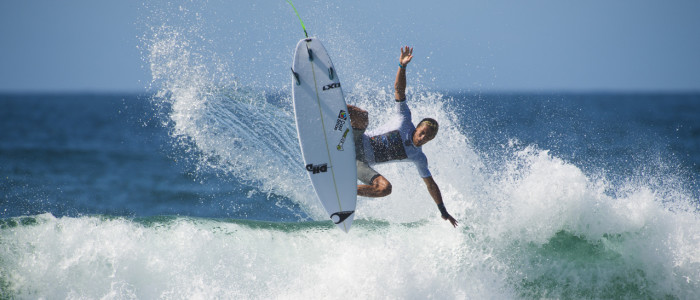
(552, 239)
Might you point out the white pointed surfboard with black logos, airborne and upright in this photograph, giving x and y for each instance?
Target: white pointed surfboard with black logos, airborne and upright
(325, 135)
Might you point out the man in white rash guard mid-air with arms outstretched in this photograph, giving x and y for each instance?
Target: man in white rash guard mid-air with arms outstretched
(402, 143)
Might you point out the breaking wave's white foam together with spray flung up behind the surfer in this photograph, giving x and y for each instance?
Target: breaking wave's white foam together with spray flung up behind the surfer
(533, 222)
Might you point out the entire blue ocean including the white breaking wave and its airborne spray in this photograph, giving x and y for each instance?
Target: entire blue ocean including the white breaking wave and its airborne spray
(194, 188)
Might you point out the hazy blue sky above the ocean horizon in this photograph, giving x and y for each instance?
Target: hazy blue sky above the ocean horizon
(469, 45)
